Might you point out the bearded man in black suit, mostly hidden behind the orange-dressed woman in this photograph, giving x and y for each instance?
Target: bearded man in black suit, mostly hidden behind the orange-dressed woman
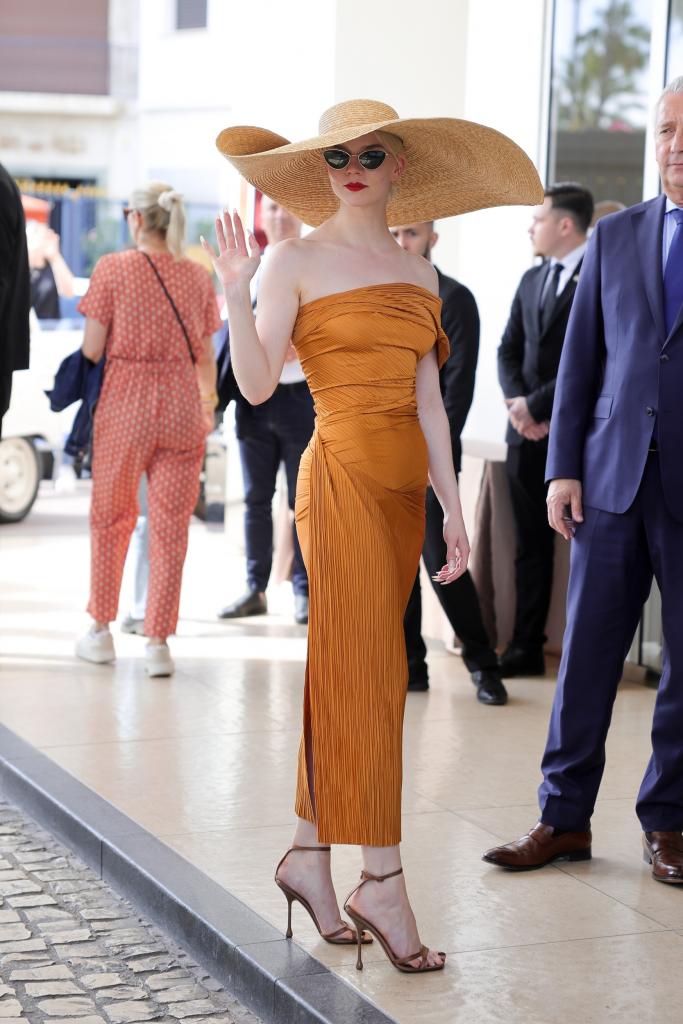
(460, 320)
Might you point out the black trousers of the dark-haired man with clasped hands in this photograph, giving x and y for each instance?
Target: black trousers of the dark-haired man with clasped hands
(536, 542)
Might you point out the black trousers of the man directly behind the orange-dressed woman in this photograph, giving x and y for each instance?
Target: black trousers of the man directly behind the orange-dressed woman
(459, 601)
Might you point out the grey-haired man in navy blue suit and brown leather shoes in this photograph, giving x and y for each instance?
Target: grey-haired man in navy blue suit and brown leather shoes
(616, 467)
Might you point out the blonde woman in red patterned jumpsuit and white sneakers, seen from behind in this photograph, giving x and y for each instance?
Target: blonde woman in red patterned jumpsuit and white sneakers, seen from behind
(156, 408)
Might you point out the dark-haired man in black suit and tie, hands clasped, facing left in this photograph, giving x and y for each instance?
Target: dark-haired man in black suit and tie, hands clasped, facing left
(528, 362)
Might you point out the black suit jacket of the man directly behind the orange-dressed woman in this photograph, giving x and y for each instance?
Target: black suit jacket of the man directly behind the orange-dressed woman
(460, 320)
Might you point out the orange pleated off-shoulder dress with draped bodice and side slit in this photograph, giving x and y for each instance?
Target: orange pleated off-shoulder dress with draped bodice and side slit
(361, 516)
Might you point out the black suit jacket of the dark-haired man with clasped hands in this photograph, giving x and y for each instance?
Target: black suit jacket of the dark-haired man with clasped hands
(529, 358)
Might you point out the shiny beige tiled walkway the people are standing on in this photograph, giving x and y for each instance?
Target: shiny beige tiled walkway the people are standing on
(206, 761)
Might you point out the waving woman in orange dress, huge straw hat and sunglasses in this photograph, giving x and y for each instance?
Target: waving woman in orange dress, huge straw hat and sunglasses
(365, 319)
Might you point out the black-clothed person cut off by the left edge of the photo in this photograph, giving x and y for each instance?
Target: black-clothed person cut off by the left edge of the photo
(15, 288)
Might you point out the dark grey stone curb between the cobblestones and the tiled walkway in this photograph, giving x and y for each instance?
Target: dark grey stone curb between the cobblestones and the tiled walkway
(270, 974)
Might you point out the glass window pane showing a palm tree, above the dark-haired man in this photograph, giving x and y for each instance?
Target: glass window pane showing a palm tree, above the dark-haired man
(601, 100)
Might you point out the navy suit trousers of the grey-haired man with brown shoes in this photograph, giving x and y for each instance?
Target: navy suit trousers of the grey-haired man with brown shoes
(614, 560)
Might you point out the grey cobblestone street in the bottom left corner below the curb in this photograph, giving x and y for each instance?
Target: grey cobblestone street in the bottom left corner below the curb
(72, 951)
